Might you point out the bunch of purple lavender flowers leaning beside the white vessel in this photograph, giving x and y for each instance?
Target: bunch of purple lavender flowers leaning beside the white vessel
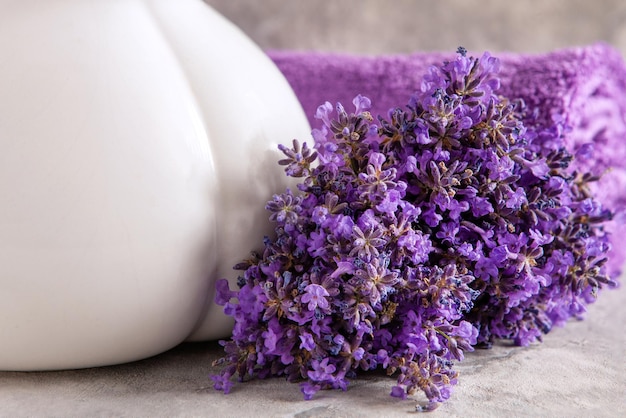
(414, 237)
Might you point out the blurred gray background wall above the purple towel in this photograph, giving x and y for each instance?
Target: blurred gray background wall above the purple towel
(400, 26)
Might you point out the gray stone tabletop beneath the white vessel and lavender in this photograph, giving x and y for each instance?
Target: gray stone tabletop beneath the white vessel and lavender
(578, 371)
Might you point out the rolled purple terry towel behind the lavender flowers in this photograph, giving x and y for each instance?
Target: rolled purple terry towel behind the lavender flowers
(586, 86)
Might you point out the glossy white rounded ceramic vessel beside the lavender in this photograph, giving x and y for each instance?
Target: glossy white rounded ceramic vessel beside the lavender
(137, 148)
